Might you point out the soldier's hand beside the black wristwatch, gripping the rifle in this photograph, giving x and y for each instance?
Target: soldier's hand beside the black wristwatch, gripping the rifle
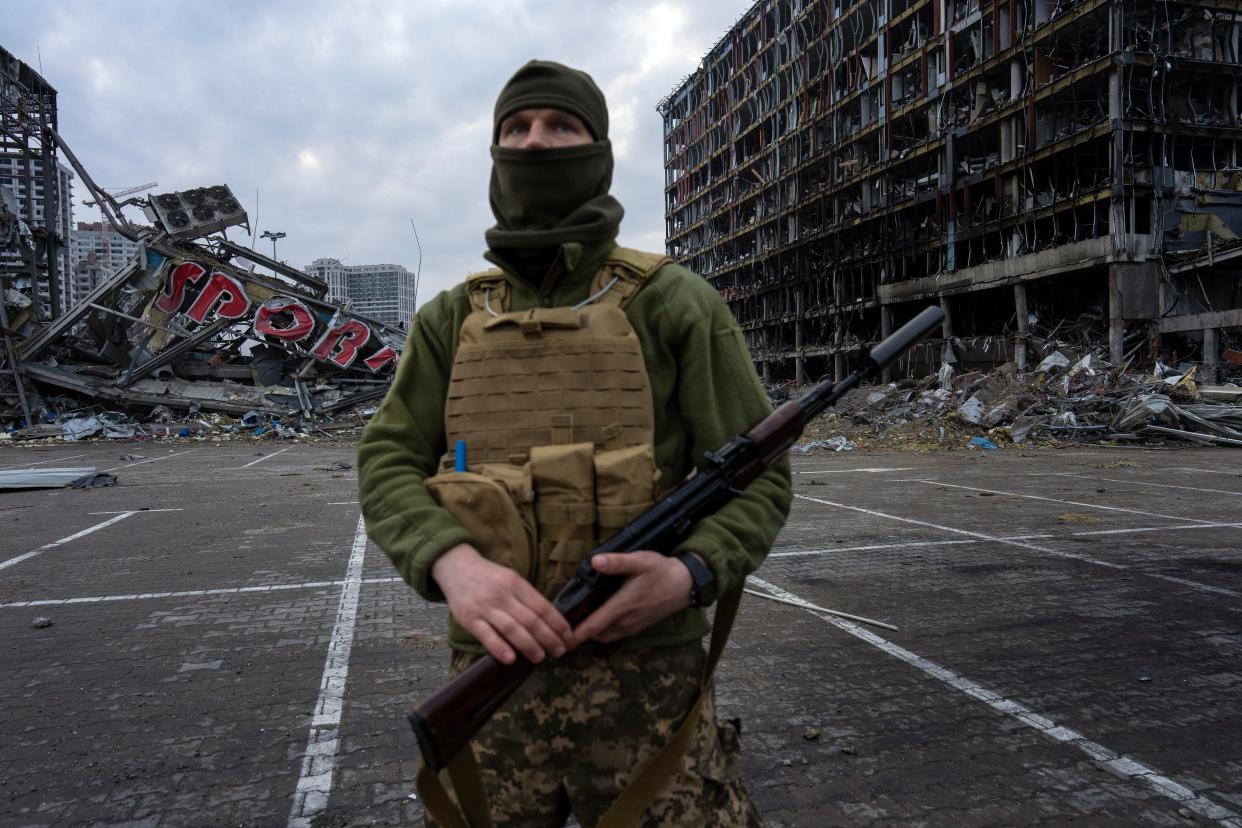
(656, 587)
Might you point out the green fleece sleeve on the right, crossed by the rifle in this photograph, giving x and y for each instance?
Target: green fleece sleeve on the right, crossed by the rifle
(720, 397)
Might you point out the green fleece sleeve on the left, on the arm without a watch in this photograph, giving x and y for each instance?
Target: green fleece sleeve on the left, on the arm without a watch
(402, 446)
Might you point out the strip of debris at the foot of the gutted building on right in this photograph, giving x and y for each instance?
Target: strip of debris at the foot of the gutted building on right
(1066, 399)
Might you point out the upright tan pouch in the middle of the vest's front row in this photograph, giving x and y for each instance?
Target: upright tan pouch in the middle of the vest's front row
(564, 480)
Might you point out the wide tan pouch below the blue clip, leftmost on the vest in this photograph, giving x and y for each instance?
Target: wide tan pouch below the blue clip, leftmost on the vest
(492, 503)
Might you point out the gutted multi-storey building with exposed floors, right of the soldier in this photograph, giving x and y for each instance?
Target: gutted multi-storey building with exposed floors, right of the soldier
(833, 167)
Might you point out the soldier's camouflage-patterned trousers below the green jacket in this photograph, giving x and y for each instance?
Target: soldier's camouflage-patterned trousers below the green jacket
(581, 728)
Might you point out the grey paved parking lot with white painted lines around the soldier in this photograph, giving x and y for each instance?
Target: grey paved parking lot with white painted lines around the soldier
(227, 649)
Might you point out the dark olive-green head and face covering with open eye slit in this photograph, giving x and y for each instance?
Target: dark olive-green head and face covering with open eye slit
(546, 198)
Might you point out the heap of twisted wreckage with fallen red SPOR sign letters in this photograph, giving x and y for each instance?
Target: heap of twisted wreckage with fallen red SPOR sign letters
(197, 337)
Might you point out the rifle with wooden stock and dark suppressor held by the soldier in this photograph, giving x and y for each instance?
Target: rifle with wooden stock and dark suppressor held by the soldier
(448, 721)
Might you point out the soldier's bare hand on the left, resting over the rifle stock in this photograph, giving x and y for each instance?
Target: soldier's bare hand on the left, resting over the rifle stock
(500, 608)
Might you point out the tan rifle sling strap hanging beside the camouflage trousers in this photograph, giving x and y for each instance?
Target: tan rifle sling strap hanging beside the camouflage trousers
(628, 809)
